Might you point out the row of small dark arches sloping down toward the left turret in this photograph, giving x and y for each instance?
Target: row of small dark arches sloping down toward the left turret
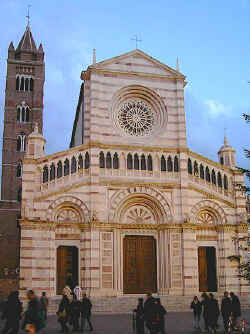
(67, 167)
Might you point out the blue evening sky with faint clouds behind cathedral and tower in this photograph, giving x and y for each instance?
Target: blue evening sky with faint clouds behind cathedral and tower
(210, 38)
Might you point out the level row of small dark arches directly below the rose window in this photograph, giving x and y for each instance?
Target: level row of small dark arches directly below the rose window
(137, 162)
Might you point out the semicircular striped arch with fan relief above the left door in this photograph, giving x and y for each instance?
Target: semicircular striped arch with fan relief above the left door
(68, 207)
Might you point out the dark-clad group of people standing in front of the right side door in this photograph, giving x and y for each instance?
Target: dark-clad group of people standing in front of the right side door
(209, 308)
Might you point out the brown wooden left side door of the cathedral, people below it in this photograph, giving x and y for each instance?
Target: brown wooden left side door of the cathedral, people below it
(67, 267)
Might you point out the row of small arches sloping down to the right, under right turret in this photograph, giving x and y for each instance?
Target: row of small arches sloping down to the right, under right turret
(195, 169)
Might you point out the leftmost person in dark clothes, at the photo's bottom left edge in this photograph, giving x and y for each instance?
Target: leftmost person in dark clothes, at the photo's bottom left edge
(12, 314)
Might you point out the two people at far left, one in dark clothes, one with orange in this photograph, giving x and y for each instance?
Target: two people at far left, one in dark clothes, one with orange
(33, 319)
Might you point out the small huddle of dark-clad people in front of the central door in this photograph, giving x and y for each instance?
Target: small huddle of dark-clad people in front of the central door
(151, 314)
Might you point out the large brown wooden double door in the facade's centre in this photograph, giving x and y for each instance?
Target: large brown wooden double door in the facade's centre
(140, 265)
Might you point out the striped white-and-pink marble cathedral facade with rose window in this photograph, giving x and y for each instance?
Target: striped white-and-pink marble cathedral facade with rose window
(129, 208)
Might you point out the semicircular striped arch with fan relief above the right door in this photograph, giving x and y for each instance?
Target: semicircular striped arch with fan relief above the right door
(208, 212)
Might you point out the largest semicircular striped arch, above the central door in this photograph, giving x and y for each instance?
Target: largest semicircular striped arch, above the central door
(139, 203)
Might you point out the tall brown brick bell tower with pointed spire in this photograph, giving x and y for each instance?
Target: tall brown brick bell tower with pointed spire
(23, 108)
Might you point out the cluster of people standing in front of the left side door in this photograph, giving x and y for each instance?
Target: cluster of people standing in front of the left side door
(74, 310)
